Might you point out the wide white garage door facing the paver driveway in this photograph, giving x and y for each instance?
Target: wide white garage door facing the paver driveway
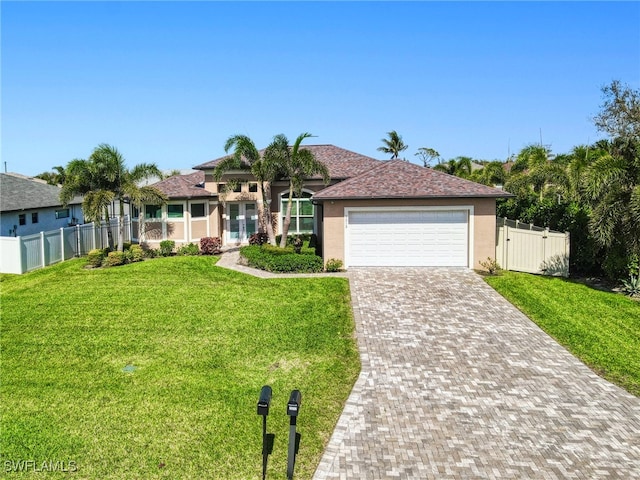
(437, 238)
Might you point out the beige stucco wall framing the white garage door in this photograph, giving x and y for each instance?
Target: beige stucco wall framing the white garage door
(483, 225)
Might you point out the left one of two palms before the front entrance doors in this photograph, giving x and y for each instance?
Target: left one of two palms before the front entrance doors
(247, 157)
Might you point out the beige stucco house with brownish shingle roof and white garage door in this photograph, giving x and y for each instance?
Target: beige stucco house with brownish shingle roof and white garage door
(373, 213)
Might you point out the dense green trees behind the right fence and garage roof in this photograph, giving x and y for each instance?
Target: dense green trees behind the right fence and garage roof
(593, 191)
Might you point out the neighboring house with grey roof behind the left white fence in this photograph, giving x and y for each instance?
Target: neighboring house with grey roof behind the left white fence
(30, 205)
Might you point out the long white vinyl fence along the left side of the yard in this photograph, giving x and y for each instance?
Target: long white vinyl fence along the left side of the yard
(30, 252)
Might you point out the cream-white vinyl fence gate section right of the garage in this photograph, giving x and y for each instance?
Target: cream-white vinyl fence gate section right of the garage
(526, 248)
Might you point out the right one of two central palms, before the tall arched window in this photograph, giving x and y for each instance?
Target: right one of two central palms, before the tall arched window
(297, 164)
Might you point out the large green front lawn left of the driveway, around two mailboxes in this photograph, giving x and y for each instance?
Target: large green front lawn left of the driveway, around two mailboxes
(203, 339)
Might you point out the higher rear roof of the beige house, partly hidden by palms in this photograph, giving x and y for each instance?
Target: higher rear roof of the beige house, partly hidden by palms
(341, 163)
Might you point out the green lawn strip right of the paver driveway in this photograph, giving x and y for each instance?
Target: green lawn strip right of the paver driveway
(600, 328)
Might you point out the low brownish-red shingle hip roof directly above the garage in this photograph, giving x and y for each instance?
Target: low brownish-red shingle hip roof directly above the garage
(401, 179)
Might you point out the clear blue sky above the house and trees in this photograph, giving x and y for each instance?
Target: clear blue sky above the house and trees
(169, 82)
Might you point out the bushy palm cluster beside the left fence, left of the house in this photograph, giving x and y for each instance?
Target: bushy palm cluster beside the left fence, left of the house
(104, 178)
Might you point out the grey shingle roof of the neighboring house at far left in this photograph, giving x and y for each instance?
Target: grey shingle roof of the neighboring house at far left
(18, 192)
